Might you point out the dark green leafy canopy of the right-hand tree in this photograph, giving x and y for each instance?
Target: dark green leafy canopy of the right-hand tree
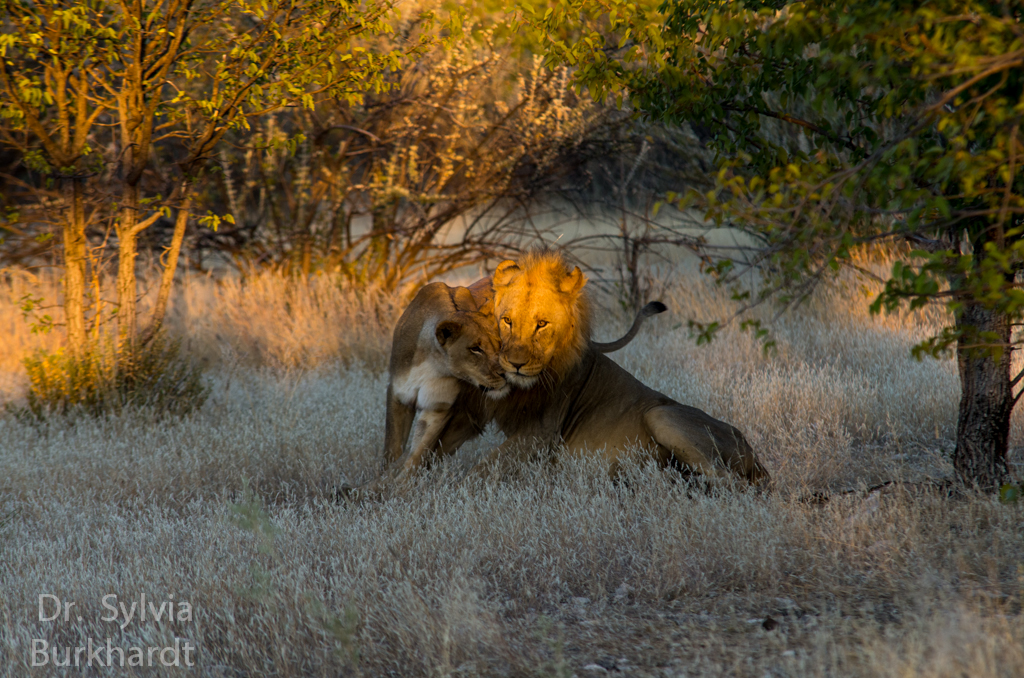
(838, 125)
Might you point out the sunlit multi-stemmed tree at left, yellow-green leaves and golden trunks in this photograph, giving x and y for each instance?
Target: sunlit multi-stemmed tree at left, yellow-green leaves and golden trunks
(168, 81)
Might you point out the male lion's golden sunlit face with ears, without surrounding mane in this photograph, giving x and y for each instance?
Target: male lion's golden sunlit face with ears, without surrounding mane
(536, 319)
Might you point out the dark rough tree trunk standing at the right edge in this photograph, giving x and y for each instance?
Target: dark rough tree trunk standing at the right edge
(987, 401)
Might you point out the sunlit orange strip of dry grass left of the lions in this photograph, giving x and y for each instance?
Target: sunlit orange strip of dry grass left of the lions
(266, 320)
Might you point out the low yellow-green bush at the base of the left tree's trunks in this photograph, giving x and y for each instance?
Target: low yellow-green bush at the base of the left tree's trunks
(104, 380)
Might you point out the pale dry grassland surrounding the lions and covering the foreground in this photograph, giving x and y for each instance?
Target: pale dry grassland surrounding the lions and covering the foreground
(553, 571)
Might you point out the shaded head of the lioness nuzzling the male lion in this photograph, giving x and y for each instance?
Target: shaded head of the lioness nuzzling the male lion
(470, 343)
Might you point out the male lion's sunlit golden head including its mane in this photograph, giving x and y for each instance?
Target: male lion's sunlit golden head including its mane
(543, 317)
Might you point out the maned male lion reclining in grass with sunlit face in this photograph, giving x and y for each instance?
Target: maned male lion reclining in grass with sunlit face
(568, 393)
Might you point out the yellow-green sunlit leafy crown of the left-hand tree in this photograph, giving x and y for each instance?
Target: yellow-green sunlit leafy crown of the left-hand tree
(206, 68)
